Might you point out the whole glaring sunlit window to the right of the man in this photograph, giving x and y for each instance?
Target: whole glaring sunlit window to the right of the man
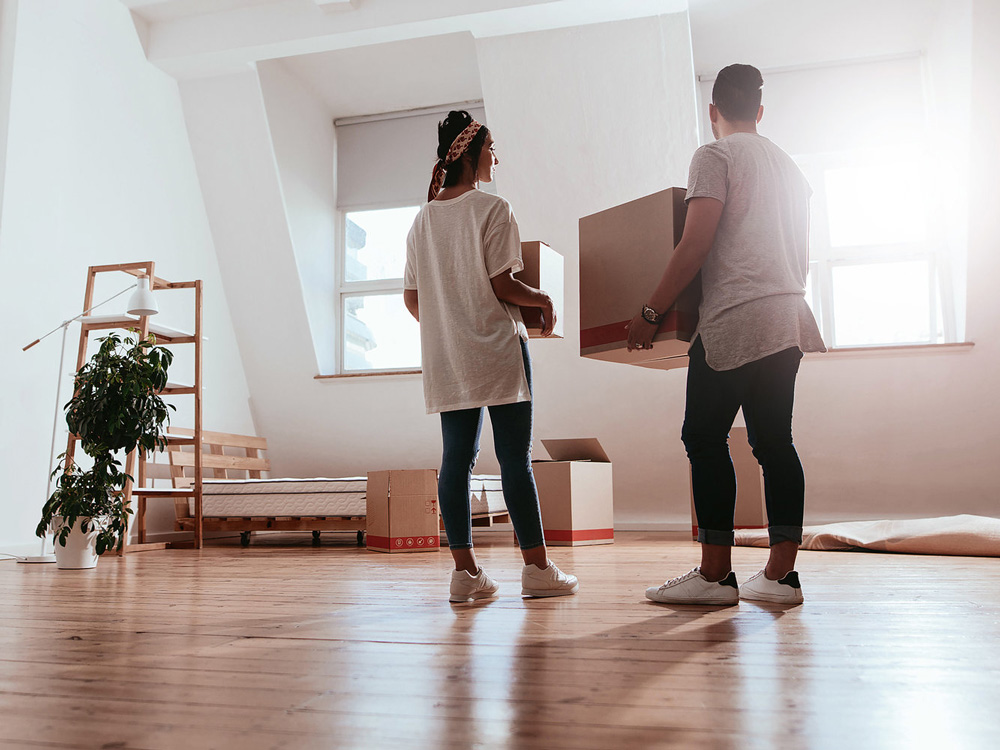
(874, 264)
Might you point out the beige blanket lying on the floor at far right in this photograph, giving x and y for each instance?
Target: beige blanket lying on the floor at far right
(974, 536)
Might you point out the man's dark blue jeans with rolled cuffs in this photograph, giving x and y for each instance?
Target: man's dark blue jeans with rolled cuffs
(765, 390)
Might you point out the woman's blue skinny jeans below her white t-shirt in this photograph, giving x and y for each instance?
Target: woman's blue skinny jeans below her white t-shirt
(512, 439)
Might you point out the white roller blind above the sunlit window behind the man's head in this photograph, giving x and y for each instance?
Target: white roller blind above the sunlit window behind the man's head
(844, 107)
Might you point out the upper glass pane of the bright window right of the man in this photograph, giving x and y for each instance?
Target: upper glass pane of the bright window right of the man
(876, 204)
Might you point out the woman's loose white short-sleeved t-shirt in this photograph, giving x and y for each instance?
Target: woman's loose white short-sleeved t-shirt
(470, 340)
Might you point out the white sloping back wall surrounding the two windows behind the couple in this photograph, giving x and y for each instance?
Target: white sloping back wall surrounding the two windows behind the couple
(586, 118)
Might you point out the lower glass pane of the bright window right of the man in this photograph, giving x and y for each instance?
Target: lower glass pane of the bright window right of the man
(882, 303)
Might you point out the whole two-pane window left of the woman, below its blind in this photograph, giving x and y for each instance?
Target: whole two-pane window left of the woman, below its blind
(378, 333)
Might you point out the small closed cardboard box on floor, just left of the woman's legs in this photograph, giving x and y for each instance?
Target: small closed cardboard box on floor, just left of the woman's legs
(402, 511)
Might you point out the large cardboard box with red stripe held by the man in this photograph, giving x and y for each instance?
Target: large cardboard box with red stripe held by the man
(623, 253)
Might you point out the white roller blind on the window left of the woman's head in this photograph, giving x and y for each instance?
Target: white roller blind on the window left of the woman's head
(388, 162)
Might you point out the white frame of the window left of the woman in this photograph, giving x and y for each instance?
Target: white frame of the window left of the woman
(368, 288)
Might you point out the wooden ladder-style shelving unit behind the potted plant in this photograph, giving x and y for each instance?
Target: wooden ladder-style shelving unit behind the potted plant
(135, 463)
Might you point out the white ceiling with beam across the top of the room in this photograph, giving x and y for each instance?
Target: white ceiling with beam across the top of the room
(381, 55)
